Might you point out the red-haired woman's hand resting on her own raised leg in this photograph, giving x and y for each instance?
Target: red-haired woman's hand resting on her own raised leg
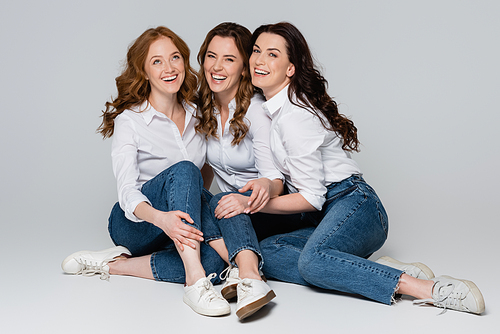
(181, 233)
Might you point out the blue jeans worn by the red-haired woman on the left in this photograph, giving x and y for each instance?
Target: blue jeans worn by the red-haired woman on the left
(179, 187)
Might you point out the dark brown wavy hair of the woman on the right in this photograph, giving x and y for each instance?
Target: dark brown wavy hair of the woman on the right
(309, 86)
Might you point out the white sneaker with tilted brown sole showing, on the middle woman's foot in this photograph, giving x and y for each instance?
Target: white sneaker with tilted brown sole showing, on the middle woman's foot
(253, 294)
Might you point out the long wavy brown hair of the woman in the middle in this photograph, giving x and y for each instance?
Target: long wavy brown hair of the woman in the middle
(207, 122)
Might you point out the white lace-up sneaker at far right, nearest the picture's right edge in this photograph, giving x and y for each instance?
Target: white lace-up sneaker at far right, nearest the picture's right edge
(455, 294)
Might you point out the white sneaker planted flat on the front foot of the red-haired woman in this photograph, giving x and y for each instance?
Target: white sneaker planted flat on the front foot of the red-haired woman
(203, 299)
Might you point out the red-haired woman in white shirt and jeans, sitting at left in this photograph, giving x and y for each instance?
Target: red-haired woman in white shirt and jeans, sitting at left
(157, 156)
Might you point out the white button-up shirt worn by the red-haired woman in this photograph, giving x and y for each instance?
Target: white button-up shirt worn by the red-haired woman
(146, 143)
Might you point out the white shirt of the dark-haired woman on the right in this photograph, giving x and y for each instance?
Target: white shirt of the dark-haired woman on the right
(310, 156)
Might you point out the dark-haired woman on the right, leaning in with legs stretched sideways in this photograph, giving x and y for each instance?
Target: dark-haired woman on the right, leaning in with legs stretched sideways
(311, 144)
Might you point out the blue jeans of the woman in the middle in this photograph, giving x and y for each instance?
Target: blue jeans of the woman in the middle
(237, 232)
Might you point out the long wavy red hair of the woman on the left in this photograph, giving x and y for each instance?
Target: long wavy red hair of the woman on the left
(134, 89)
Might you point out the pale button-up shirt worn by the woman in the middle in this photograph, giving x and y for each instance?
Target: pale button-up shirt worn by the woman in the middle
(235, 165)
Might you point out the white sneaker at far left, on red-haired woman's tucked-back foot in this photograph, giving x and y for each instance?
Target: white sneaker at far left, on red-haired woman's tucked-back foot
(88, 263)
